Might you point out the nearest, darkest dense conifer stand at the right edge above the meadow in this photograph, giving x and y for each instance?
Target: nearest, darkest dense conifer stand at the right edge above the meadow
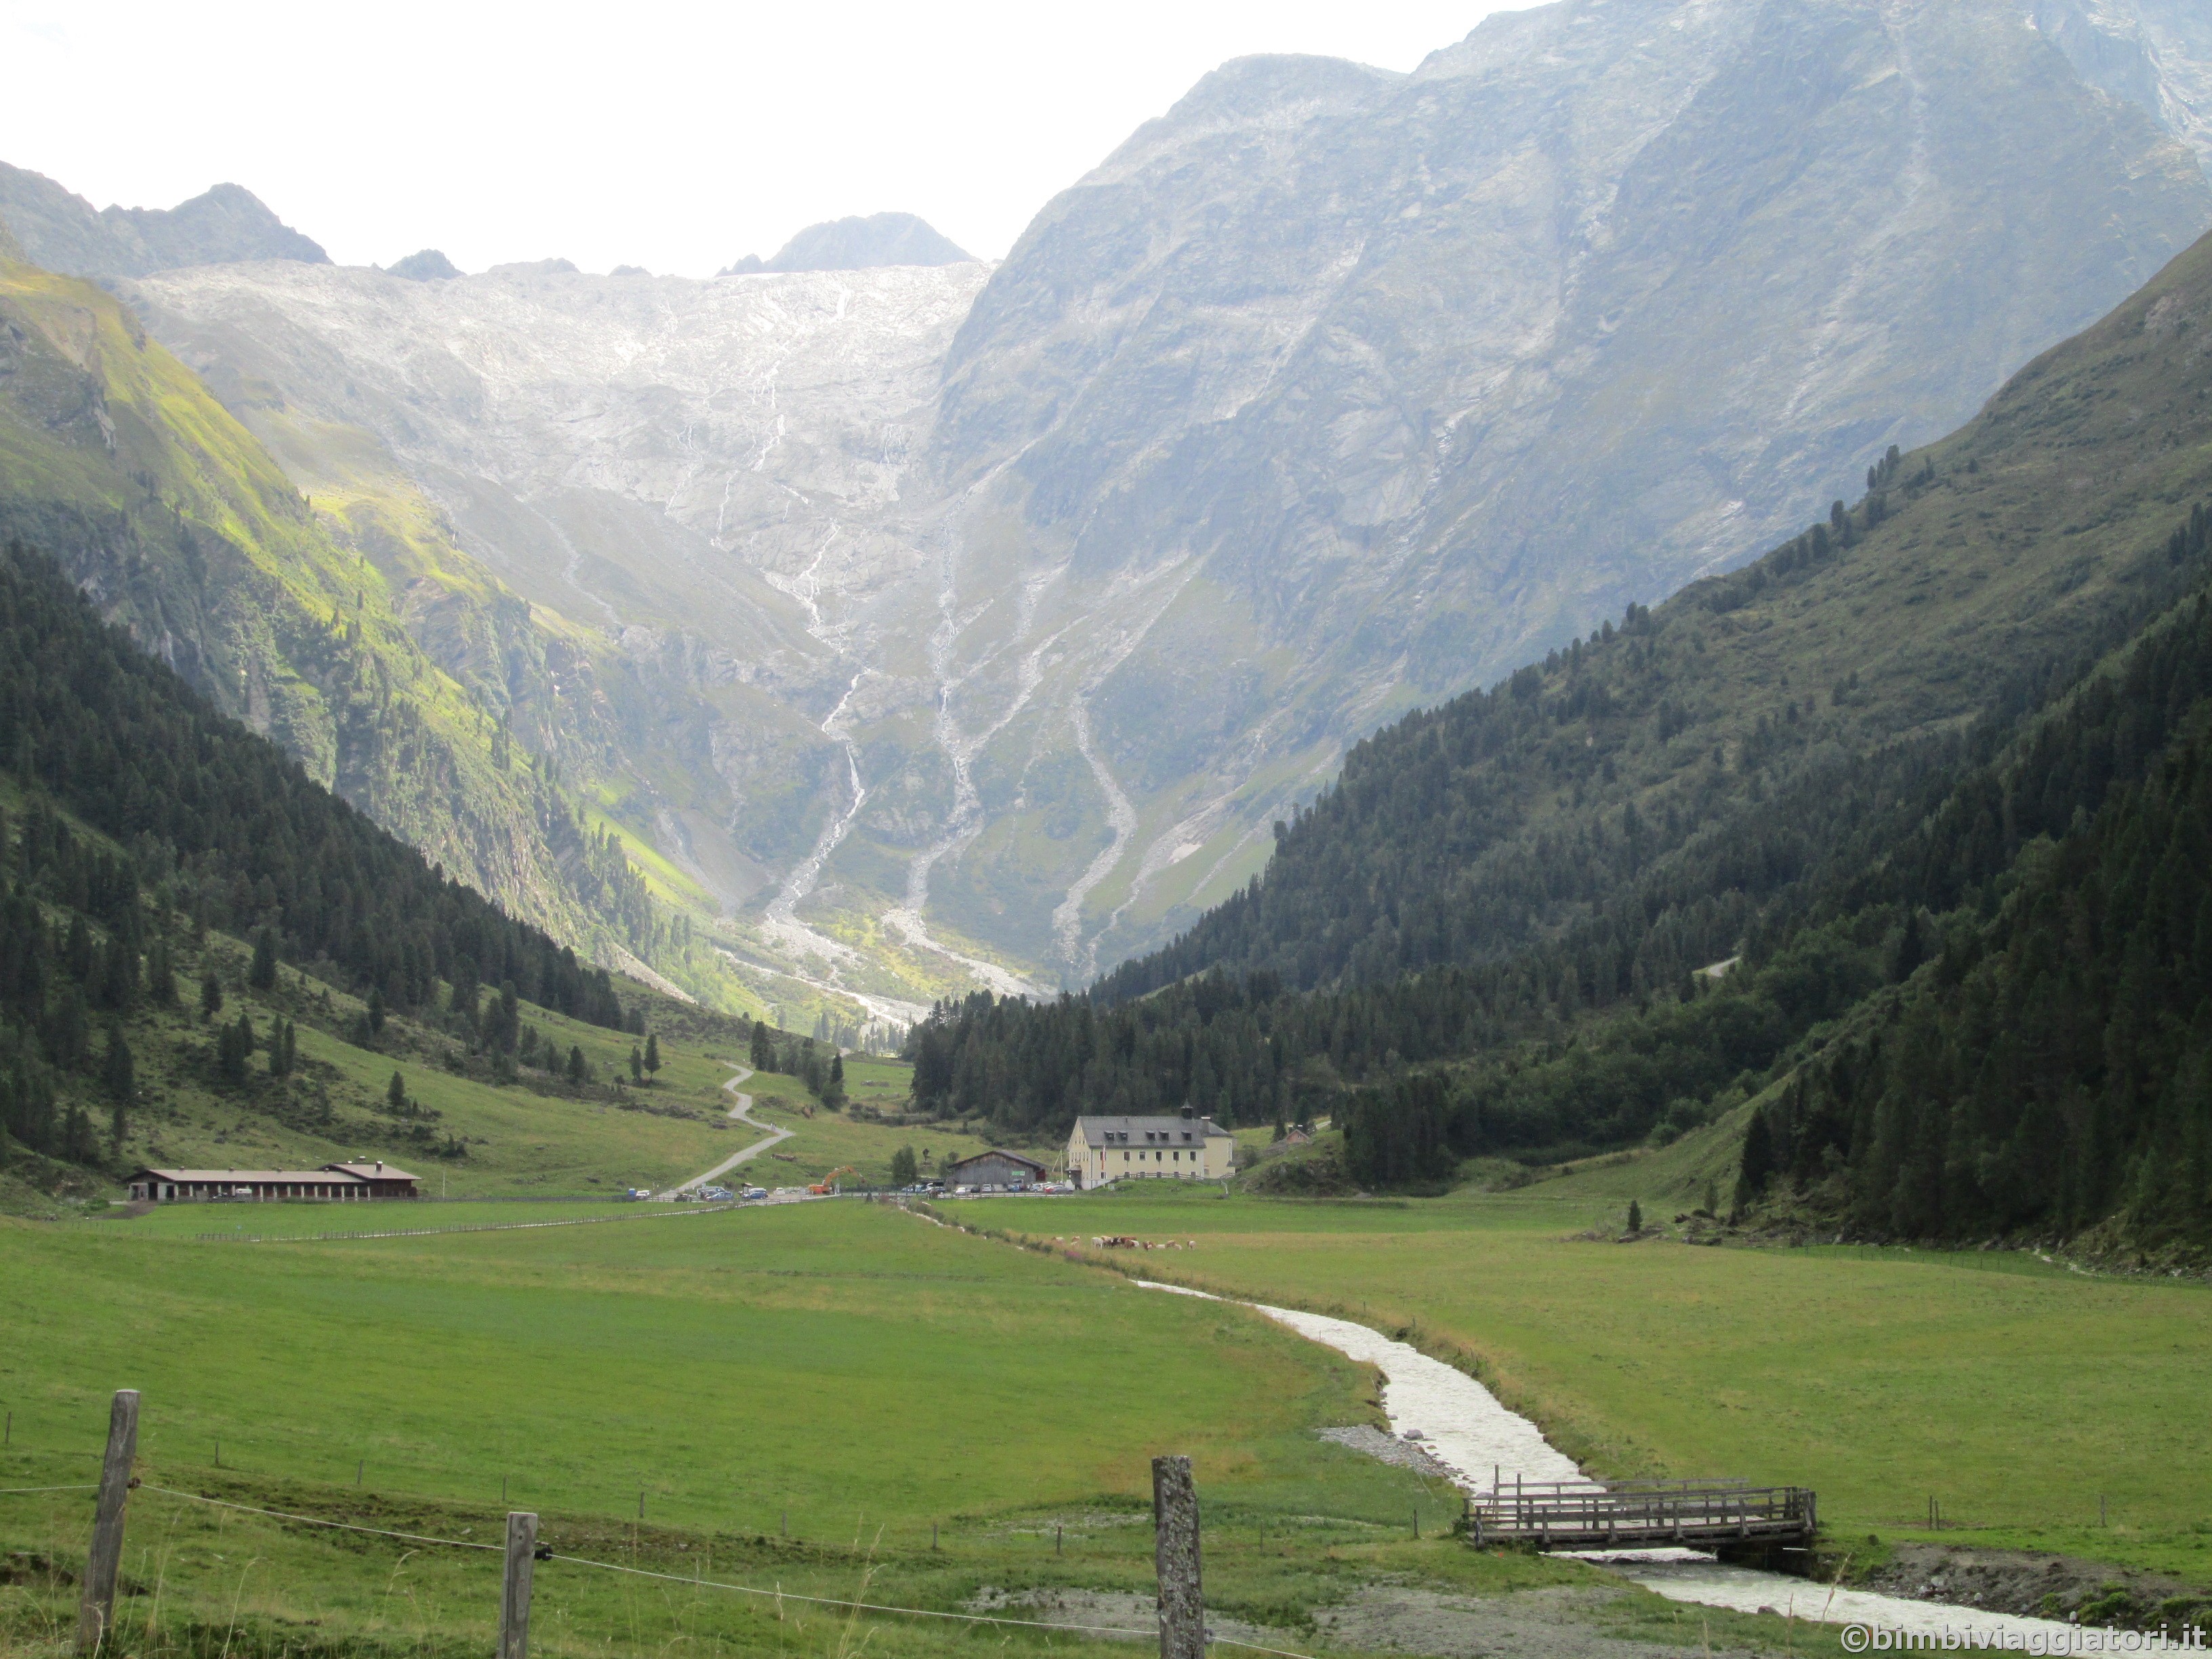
(2047, 1063)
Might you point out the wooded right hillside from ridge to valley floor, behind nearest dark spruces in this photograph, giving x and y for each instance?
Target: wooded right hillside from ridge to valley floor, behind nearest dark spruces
(1795, 775)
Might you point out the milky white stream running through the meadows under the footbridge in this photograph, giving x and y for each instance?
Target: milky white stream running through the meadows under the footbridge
(1470, 1432)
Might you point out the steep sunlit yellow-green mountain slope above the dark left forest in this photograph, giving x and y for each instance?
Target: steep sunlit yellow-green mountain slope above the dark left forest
(118, 461)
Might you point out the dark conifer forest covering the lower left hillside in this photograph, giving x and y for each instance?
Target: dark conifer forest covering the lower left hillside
(138, 826)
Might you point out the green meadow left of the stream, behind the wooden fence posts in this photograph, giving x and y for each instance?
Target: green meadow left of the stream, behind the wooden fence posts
(833, 1399)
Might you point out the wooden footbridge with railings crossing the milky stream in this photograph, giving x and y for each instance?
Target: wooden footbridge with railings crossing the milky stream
(1642, 1514)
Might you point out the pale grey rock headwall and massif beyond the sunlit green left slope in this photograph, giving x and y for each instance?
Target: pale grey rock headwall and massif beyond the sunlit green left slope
(1050, 587)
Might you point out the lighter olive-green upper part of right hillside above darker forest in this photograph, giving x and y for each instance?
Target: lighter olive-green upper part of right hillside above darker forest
(1968, 570)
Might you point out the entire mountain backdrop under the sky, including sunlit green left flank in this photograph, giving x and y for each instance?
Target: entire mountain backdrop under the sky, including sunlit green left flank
(835, 634)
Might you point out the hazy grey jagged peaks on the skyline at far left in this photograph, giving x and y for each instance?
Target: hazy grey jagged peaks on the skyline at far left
(220, 227)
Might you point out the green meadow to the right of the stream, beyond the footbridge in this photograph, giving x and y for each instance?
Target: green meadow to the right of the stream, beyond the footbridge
(2014, 1392)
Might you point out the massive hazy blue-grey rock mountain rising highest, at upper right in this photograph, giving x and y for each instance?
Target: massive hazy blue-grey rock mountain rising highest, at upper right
(1415, 377)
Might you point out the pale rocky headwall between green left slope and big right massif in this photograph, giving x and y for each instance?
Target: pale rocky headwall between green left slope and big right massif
(705, 479)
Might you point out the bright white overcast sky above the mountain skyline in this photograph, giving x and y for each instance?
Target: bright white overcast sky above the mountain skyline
(667, 136)
